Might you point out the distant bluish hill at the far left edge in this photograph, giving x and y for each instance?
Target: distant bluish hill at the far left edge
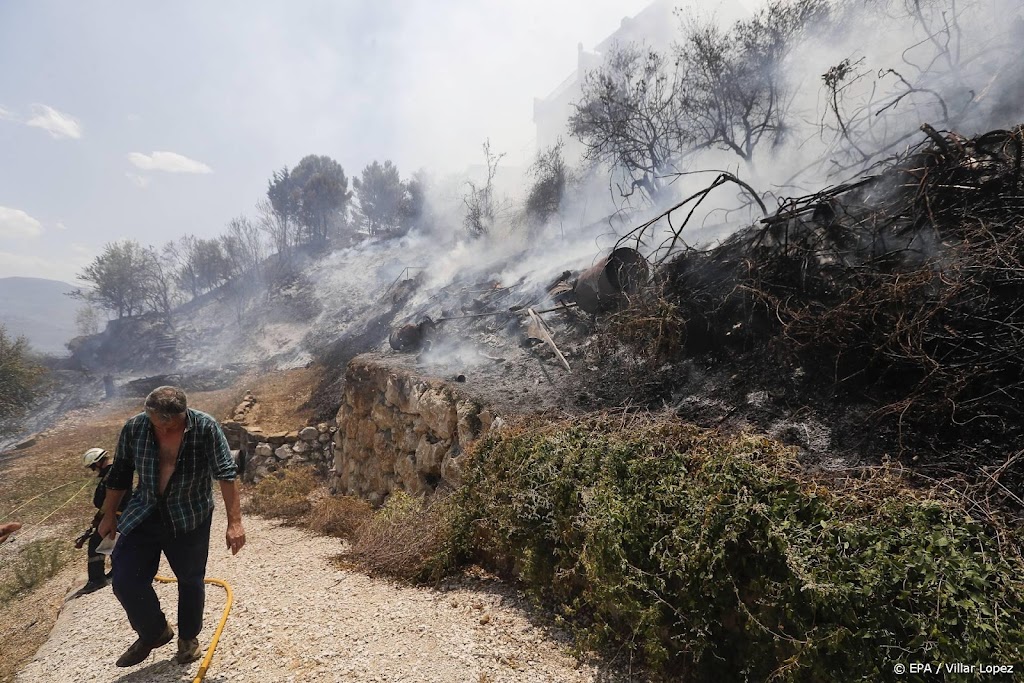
(38, 310)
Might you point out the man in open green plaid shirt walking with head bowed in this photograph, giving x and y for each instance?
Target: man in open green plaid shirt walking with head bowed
(177, 452)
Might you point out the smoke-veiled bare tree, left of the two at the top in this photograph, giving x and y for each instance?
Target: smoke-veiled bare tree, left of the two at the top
(628, 117)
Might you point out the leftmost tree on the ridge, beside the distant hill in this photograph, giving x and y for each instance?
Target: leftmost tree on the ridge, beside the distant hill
(118, 278)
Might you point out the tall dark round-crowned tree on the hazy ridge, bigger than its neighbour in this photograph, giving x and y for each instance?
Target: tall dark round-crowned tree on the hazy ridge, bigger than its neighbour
(322, 190)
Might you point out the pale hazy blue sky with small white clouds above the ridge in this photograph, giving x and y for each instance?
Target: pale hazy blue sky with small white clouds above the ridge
(151, 120)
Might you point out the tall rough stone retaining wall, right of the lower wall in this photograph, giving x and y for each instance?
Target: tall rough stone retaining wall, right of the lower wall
(400, 432)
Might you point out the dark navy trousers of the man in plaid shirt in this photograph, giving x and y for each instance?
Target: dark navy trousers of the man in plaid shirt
(137, 559)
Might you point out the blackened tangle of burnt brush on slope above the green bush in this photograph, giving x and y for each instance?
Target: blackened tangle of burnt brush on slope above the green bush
(897, 298)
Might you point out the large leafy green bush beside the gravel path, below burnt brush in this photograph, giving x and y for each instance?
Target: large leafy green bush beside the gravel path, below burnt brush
(717, 559)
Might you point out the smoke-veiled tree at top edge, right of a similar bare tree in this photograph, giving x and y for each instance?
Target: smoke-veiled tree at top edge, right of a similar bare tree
(730, 84)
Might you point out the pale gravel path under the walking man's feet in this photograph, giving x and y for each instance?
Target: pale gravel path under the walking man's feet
(300, 618)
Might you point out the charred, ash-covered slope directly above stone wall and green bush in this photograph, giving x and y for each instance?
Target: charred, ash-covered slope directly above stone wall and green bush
(877, 318)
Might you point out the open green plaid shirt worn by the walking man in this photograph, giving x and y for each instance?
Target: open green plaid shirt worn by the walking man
(189, 499)
